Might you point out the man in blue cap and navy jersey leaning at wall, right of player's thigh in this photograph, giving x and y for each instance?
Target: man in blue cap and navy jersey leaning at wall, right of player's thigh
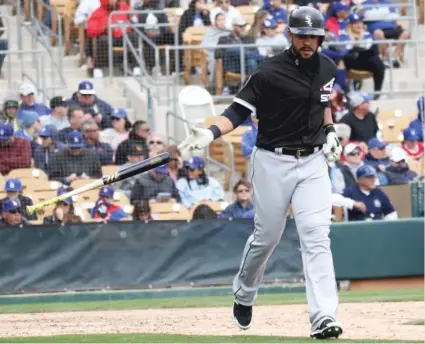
(378, 205)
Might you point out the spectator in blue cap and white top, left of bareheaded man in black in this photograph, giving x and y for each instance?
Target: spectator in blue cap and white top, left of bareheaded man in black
(119, 131)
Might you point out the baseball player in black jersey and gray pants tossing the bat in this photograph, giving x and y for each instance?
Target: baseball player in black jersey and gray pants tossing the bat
(290, 94)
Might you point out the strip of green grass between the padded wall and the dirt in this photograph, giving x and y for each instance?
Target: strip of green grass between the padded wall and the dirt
(215, 301)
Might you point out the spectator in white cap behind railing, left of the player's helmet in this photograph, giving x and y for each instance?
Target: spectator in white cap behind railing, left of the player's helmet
(231, 56)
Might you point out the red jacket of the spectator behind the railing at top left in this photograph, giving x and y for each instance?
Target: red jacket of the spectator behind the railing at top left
(97, 23)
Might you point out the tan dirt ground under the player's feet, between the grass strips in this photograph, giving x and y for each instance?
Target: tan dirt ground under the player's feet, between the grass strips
(359, 320)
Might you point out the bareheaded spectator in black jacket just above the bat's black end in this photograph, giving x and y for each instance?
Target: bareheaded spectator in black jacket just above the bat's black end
(137, 136)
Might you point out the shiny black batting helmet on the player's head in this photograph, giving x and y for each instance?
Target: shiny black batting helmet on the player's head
(306, 20)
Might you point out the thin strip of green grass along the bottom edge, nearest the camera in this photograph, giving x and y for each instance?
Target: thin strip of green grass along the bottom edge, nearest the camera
(154, 338)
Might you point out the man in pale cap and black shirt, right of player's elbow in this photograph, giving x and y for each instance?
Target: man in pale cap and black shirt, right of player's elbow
(362, 122)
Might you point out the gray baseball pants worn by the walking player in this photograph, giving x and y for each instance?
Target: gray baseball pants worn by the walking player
(278, 180)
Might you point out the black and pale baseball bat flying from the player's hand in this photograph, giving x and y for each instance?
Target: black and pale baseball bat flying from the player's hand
(117, 176)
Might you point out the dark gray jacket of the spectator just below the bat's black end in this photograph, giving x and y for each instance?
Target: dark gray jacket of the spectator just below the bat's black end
(149, 185)
